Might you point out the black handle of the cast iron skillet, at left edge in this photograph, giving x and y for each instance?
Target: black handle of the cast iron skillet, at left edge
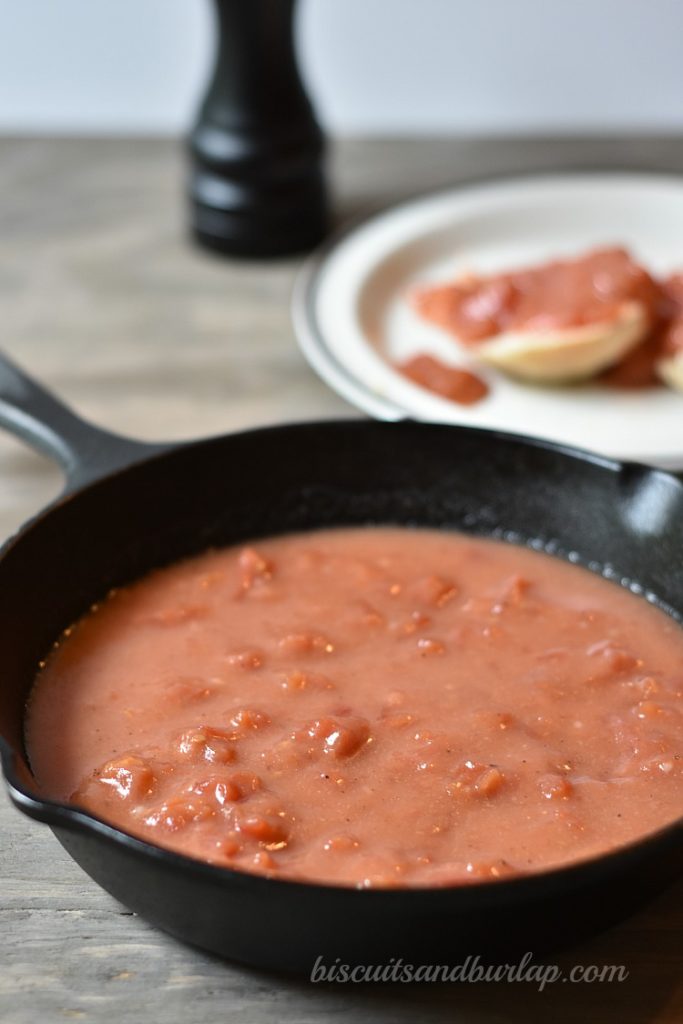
(84, 452)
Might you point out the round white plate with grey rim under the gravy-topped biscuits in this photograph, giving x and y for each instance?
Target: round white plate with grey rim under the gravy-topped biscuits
(353, 318)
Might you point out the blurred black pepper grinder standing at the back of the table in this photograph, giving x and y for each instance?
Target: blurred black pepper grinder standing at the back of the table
(258, 186)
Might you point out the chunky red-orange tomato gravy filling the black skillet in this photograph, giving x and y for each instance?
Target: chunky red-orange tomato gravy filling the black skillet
(370, 707)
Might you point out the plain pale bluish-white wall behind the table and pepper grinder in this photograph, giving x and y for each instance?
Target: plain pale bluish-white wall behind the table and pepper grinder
(375, 66)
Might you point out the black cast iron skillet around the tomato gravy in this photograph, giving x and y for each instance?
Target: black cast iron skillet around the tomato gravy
(130, 507)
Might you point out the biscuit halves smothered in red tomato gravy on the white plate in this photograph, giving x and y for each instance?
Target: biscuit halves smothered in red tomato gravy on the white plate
(566, 321)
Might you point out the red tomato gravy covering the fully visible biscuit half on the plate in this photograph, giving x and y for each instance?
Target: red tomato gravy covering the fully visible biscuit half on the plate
(558, 294)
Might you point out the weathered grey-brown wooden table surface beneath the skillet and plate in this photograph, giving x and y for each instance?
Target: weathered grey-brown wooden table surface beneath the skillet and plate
(104, 298)
